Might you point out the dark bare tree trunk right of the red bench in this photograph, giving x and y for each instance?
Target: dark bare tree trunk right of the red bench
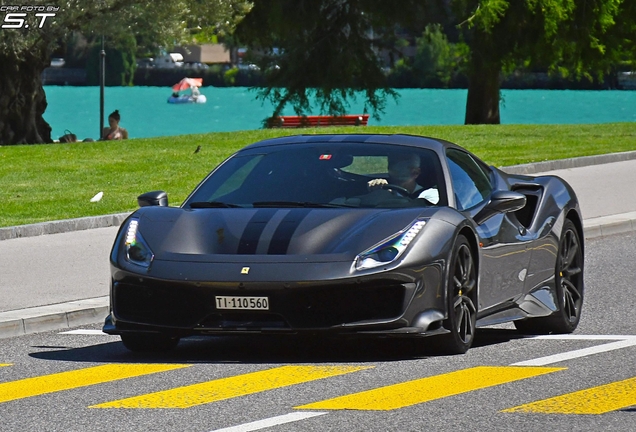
(482, 105)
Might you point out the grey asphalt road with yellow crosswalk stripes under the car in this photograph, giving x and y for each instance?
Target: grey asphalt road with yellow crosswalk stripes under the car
(48, 381)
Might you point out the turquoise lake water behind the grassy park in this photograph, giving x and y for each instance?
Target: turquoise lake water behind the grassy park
(146, 113)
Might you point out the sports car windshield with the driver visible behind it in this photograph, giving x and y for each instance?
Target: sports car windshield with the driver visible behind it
(325, 175)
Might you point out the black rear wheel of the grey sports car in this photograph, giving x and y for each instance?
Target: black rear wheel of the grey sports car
(568, 279)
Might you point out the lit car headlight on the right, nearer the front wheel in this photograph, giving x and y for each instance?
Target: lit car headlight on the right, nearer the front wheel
(389, 249)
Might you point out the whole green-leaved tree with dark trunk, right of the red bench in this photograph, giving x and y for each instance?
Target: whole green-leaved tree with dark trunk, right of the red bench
(570, 37)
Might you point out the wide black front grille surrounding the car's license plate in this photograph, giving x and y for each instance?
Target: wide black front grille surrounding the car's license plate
(306, 306)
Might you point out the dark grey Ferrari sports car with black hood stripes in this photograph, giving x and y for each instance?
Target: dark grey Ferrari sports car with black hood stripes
(368, 234)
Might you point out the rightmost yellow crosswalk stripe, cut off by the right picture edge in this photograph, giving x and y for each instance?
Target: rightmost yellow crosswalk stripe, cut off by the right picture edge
(595, 400)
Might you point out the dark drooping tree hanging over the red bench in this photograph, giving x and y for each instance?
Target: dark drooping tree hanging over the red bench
(326, 50)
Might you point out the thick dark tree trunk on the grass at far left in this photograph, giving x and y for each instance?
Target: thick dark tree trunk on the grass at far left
(23, 100)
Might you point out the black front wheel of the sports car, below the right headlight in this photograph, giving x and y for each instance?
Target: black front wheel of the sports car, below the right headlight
(461, 300)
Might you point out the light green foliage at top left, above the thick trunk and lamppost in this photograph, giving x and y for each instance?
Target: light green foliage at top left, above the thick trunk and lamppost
(164, 22)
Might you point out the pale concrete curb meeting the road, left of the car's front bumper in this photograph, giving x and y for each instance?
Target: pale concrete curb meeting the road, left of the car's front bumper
(53, 317)
